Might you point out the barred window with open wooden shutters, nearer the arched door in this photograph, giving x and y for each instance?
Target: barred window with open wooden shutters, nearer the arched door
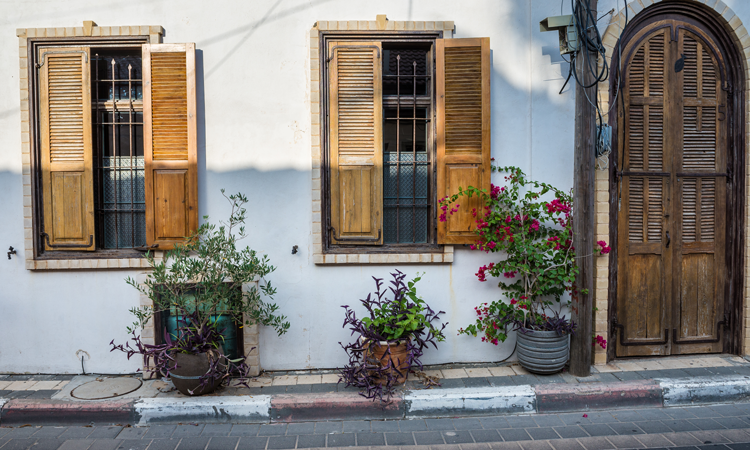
(406, 124)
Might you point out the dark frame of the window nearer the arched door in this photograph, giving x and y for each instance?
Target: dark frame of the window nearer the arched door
(385, 38)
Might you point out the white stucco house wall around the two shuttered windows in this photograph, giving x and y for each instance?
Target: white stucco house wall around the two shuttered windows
(254, 137)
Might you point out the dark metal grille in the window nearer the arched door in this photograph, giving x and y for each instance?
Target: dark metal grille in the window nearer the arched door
(407, 103)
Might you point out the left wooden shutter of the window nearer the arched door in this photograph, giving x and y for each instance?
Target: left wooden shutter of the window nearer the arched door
(356, 143)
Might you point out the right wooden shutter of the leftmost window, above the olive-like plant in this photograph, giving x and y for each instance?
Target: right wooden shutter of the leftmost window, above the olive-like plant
(170, 143)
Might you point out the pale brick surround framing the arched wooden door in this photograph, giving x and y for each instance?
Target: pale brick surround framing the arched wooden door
(740, 35)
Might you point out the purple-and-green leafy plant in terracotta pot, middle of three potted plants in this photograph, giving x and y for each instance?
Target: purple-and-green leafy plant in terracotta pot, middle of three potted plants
(390, 339)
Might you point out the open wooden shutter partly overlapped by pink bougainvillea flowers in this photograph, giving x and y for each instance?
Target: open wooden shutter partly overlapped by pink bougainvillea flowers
(463, 130)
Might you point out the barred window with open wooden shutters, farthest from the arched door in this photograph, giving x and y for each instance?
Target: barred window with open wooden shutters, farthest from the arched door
(116, 147)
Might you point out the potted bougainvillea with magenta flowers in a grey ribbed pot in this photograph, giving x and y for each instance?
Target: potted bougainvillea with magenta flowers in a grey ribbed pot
(529, 224)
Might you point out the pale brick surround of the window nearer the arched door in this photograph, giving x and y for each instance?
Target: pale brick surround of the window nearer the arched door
(319, 256)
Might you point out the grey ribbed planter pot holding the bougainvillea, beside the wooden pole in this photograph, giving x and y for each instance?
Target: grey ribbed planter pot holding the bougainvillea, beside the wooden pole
(543, 352)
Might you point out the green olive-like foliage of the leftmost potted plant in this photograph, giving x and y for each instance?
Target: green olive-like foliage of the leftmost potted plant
(205, 277)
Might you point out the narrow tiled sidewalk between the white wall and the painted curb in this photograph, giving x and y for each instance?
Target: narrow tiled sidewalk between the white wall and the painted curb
(450, 376)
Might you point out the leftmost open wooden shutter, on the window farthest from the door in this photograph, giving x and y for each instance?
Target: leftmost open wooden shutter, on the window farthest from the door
(67, 168)
